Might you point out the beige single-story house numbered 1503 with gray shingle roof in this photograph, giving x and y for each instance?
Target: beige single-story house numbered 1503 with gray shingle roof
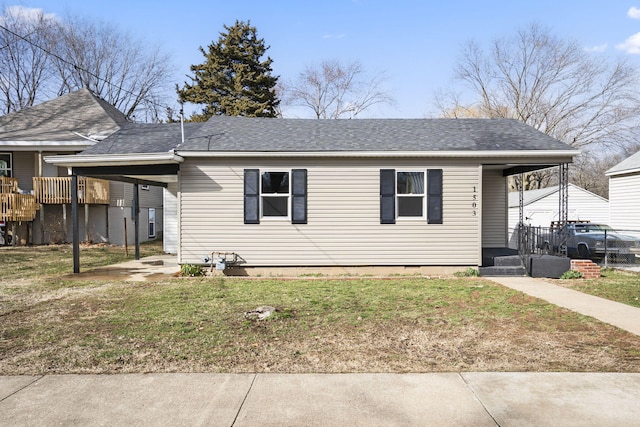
(315, 193)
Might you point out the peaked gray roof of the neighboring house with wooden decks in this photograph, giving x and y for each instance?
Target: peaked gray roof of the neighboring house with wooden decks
(62, 119)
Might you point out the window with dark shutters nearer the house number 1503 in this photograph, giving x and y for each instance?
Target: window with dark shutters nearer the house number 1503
(403, 195)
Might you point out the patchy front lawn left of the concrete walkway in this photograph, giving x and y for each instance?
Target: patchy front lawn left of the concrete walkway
(52, 324)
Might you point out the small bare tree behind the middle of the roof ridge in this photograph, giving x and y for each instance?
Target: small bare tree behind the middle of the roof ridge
(333, 90)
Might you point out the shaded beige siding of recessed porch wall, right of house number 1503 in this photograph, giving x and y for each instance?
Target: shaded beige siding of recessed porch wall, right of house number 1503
(494, 209)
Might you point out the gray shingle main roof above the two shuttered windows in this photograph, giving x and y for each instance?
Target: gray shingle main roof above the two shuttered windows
(242, 134)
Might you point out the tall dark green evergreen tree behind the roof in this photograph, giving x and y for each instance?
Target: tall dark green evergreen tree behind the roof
(233, 80)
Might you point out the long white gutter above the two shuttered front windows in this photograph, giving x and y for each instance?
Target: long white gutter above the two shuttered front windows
(385, 154)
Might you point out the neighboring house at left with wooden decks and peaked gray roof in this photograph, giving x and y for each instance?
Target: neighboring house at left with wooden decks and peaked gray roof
(35, 196)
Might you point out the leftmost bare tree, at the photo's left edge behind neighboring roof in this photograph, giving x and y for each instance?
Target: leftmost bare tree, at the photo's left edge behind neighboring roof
(25, 69)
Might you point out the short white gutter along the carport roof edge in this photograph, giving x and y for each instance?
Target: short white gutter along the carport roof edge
(114, 159)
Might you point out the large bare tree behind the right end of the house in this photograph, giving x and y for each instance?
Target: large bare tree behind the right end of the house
(554, 86)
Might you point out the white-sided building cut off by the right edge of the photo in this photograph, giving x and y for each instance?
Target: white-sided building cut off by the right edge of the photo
(624, 198)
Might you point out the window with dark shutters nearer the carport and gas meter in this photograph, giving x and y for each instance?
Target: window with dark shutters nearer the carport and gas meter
(275, 194)
